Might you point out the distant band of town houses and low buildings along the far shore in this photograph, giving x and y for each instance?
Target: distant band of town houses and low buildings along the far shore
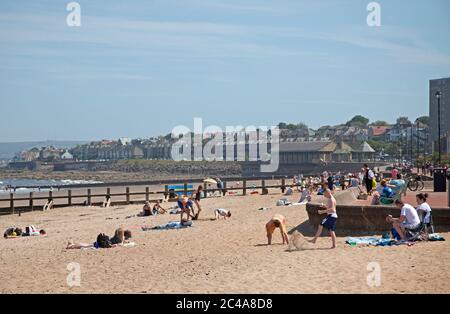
(344, 142)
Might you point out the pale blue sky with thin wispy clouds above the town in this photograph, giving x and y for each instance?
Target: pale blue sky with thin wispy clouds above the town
(139, 68)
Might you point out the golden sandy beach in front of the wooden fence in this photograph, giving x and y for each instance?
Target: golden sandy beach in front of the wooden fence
(226, 256)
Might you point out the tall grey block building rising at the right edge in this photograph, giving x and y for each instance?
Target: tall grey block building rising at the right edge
(443, 86)
